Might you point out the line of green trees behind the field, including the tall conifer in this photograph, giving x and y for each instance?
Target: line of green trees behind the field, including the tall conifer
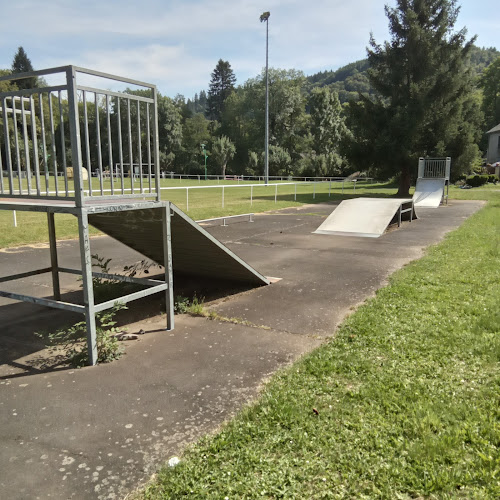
(427, 91)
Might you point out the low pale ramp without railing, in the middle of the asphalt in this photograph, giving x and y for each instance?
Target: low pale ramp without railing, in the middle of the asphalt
(366, 217)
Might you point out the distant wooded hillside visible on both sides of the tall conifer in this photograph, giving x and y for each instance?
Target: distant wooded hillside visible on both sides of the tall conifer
(353, 78)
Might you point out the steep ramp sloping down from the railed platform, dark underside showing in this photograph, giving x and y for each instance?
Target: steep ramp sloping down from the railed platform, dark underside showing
(194, 251)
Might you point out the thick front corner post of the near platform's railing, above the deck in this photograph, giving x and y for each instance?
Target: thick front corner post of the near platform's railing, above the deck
(76, 146)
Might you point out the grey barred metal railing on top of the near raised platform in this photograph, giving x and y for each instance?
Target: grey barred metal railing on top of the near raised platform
(55, 138)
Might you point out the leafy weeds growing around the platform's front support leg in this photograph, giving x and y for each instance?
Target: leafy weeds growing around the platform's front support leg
(72, 341)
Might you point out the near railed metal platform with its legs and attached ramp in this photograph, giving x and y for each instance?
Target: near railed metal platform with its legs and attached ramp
(112, 141)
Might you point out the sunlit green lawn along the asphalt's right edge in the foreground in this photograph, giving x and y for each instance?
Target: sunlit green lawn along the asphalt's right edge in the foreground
(407, 396)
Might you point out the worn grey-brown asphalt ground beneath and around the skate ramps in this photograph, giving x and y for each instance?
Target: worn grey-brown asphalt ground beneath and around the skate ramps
(99, 431)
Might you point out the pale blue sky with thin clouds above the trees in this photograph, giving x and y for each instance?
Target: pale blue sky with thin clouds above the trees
(176, 44)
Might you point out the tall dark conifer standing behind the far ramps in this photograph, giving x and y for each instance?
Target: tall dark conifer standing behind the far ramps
(423, 80)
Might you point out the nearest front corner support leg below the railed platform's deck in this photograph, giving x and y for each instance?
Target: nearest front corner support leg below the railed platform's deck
(88, 287)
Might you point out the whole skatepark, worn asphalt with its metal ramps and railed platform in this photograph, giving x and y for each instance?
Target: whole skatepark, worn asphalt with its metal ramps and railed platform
(103, 430)
